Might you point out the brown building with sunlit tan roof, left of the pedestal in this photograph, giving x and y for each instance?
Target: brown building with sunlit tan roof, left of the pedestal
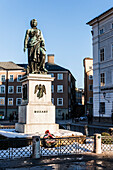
(10, 88)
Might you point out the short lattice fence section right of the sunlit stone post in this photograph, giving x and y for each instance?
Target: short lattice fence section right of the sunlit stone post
(107, 143)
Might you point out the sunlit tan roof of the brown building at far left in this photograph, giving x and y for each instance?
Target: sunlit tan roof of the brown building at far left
(10, 66)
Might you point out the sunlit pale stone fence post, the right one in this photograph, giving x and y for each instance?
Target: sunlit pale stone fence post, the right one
(97, 143)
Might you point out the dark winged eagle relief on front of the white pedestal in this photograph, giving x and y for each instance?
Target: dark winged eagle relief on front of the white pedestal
(41, 90)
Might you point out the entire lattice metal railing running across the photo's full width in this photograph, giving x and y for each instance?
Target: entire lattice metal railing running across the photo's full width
(23, 147)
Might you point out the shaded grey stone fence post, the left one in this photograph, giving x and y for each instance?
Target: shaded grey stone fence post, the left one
(36, 147)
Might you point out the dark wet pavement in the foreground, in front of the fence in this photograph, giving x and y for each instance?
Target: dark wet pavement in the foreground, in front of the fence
(73, 162)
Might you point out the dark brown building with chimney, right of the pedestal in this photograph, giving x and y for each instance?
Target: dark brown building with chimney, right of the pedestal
(63, 89)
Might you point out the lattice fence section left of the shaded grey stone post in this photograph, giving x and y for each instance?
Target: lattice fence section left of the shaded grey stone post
(15, 148)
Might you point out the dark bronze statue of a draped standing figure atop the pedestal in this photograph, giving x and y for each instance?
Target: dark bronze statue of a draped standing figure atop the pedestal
(36, 49)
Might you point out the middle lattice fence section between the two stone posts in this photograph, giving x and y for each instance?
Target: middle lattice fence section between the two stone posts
(68, 145)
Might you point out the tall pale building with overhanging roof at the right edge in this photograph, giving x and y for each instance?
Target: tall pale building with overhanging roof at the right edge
(102, 39)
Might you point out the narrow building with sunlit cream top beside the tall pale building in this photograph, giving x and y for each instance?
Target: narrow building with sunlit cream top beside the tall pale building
(88, 85)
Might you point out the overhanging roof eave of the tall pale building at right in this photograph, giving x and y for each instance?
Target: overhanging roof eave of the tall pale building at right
(101, 16)
